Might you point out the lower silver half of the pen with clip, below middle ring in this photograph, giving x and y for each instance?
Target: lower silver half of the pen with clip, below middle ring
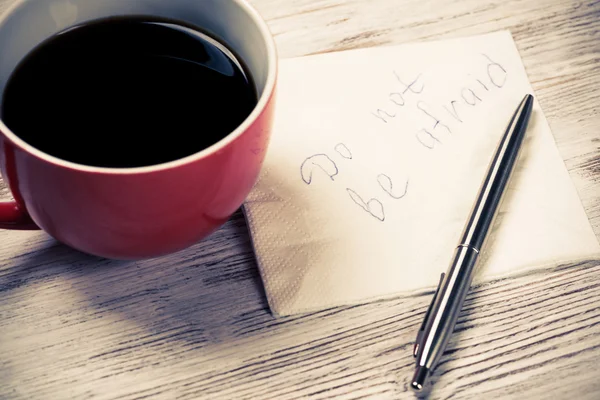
(447, 306)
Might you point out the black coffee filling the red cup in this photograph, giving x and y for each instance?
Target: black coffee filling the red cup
(127, 93)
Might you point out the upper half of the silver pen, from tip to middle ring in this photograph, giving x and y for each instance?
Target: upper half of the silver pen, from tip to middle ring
(496, 179)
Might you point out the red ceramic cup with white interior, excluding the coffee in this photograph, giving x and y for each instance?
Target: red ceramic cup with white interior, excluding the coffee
(135, 213)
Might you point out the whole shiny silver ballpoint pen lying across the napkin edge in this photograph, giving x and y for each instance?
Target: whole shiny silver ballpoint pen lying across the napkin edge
(440, 319)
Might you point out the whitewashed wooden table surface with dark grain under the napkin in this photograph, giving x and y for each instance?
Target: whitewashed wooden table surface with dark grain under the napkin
(196, 324)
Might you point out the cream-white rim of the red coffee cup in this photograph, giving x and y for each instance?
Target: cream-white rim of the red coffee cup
(261, 105)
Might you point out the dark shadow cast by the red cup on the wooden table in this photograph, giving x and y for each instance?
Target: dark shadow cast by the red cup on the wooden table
(199, 295)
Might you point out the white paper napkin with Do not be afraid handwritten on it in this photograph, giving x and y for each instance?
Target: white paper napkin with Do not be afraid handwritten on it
(375, 161)
